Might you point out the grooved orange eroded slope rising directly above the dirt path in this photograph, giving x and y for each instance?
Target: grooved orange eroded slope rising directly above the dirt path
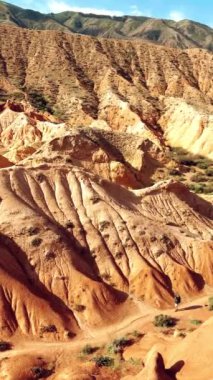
(70, 227)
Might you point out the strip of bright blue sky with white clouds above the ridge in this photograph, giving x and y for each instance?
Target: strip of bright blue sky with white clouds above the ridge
(198, 10)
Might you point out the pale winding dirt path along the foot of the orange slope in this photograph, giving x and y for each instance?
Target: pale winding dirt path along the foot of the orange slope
(193, 309)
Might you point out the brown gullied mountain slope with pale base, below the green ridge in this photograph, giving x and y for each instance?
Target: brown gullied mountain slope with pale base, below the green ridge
(128, 86)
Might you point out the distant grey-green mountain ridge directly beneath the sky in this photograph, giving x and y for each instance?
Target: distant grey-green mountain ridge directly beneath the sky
(183, 34)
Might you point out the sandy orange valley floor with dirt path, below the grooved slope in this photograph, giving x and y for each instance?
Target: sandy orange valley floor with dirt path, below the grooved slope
(67, 356)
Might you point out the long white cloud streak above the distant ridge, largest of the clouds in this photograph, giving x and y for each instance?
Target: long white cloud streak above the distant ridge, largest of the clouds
(60, 6)
